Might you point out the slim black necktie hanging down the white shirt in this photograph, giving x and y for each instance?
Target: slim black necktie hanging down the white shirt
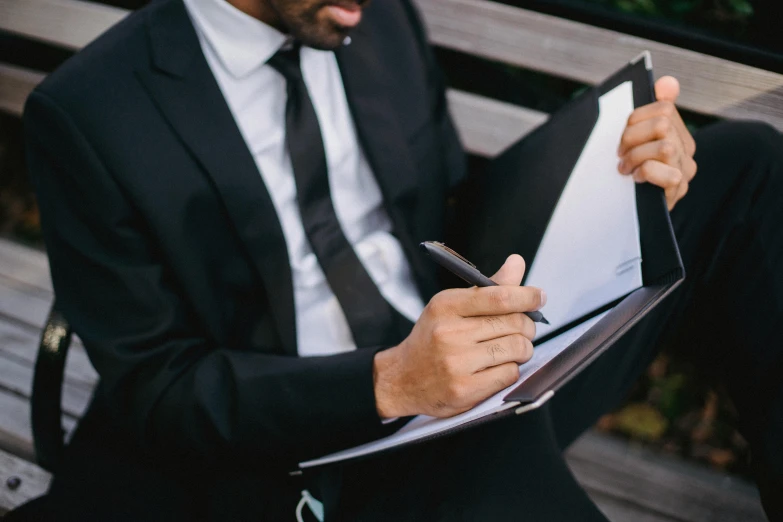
(371, 319)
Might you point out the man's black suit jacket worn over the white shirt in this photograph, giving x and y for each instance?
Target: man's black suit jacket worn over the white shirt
(167, 255)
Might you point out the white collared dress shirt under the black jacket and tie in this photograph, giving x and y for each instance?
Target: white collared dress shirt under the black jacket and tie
(237, 47)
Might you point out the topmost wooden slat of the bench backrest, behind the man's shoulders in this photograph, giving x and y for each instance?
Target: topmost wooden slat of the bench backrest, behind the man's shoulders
(517, 36)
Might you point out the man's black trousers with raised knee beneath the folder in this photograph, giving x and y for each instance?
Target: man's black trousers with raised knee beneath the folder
(728, 315)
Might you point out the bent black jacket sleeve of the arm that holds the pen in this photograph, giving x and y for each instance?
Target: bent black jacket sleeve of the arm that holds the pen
(163, 380)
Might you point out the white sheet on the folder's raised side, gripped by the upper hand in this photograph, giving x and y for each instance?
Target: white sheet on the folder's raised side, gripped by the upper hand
(590, 253)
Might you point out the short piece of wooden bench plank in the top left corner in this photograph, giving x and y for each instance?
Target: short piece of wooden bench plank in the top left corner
(67, 23)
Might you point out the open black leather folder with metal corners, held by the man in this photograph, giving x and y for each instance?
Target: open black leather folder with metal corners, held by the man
(516, 198)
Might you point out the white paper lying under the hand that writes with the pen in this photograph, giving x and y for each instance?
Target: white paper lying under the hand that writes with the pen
(424, 426)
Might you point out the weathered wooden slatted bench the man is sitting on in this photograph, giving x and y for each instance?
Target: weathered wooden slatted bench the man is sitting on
(627, 483)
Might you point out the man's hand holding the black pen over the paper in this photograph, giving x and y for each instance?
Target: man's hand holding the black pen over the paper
(466, 346)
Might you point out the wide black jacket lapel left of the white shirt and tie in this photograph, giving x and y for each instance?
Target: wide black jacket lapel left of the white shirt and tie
(186, 92)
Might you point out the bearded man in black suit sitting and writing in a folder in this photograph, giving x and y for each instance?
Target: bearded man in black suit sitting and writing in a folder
(199, 168)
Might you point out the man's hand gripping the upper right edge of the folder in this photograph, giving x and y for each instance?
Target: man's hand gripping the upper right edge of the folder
(657, 147)
